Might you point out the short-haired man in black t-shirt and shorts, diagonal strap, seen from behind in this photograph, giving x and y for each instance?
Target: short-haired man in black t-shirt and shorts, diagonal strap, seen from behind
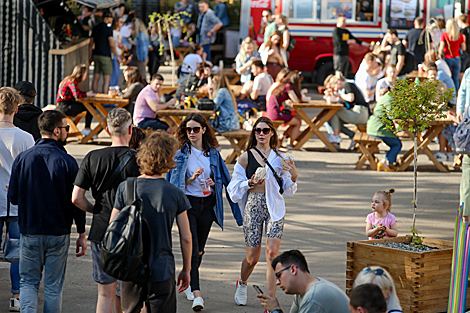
(102, 171)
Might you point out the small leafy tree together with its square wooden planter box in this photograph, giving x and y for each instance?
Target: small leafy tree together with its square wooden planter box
(421, 278)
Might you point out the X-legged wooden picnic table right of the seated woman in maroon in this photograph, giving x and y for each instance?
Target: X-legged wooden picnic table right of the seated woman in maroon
(327, 111)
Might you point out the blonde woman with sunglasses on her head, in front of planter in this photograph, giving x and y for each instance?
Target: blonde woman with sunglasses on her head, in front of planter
(380, 277)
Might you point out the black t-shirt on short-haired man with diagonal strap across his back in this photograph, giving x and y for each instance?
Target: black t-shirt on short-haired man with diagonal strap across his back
(96, 169)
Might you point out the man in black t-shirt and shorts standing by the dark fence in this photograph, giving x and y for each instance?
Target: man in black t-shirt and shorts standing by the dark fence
(102, 38)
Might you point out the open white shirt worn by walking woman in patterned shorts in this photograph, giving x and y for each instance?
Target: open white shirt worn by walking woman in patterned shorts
(238, 187)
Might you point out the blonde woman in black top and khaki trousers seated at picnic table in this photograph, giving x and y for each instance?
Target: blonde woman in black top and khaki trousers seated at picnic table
(355, 110)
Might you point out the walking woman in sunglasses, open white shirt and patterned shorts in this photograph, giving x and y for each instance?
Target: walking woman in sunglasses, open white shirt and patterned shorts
(261, 199)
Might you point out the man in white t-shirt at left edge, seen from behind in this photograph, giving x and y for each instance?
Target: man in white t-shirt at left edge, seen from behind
(13, 141)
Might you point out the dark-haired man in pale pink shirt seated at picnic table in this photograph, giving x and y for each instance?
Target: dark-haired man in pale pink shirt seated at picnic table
(147, 105)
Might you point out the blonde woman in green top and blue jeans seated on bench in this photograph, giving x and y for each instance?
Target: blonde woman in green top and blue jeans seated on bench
(376, 129)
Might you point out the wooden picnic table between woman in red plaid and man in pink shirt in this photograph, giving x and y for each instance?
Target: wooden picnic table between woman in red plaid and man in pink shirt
(95, 105)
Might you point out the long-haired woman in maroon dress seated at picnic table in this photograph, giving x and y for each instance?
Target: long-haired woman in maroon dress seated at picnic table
(284, 95)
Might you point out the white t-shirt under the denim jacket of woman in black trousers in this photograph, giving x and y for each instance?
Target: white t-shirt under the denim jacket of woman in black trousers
(196, 160)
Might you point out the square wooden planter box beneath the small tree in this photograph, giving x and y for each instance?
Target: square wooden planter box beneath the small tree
(421, 279)
